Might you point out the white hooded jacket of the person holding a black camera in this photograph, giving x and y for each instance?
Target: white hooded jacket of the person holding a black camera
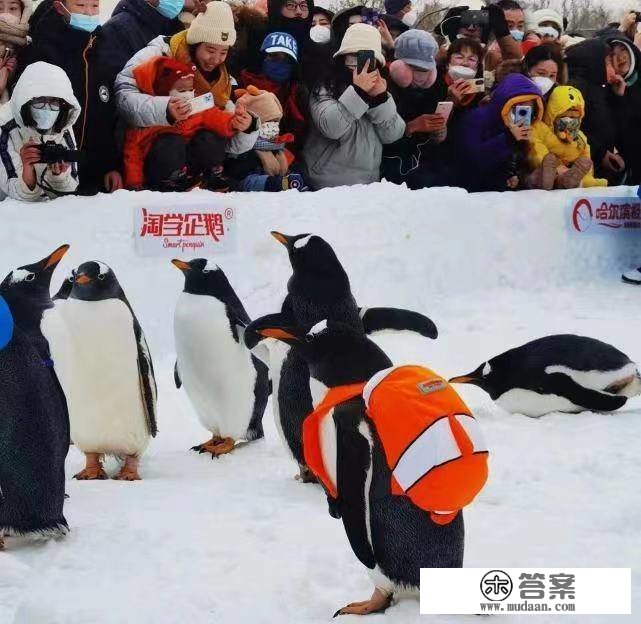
(38, 80)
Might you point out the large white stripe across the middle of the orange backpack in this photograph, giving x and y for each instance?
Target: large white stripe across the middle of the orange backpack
(433, 447)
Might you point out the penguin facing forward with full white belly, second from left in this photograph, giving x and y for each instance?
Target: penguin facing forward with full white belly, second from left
(110, 387)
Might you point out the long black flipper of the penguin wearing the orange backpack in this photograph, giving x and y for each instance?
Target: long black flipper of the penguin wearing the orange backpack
(353, 459)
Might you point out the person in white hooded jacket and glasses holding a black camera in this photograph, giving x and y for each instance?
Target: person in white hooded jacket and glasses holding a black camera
(42, 110)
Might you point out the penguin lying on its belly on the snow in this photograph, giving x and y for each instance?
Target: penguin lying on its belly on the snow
(562, 373)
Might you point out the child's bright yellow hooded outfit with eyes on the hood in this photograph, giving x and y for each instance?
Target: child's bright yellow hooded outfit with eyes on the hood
(544, 139)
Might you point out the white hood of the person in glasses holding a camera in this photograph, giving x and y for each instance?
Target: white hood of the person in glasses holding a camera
(43, 80)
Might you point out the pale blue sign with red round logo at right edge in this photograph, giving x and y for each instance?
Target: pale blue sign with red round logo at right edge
(606, 214)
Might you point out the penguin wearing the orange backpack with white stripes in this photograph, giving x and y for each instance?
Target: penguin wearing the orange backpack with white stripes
(387, 530)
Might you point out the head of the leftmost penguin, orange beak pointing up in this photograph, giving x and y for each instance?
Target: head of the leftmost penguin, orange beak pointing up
(28, 285)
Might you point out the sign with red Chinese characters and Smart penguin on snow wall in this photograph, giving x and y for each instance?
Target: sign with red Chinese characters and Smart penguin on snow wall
(185, 230)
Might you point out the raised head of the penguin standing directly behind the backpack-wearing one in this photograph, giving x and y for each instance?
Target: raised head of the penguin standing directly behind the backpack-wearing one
(315, 264)
